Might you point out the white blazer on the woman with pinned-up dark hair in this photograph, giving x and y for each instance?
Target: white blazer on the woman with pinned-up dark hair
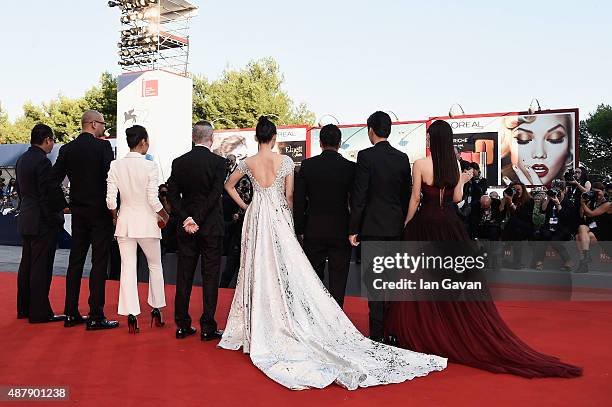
(136, 179)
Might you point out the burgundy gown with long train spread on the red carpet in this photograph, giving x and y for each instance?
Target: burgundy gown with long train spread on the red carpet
(471, 332)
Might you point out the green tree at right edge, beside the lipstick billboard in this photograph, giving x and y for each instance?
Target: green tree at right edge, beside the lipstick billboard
(596, 140)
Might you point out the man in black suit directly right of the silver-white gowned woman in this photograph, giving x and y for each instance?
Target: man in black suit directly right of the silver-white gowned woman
(321, 210)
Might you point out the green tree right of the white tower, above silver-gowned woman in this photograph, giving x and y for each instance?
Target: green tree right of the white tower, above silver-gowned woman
(239, 97)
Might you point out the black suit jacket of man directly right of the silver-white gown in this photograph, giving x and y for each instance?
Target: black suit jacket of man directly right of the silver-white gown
(321, 196)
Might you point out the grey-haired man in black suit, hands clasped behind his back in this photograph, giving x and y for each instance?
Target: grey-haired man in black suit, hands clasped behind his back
(194, 190)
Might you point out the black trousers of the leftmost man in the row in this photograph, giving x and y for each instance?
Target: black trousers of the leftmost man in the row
(34, 275)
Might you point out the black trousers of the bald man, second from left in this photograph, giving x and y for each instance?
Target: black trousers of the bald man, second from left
(97, 232)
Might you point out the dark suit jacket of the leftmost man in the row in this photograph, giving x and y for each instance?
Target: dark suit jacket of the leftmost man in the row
(36, 216)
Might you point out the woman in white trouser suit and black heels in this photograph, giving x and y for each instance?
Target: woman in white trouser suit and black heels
(136, 180)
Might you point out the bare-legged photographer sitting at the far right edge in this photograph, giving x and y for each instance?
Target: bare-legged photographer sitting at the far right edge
(596, 209)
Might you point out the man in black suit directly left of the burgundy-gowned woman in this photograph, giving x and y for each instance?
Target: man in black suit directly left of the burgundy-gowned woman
(379, 201)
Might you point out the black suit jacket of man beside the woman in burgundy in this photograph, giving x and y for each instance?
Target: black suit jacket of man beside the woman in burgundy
(379, 202)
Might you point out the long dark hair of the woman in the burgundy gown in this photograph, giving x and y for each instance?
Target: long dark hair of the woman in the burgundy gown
(446, 172)
